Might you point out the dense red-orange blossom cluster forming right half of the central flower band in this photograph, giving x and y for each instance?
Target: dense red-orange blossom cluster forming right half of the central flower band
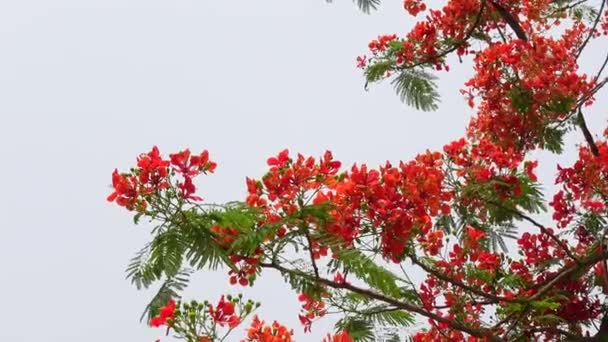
(399, 201)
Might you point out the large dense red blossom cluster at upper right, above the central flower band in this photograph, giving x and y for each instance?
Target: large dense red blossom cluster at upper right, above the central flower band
(525, 87)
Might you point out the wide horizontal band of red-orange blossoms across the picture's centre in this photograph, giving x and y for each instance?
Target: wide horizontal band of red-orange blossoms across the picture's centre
(399, 201)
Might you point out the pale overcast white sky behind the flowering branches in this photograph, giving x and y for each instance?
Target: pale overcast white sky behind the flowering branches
(87, 85)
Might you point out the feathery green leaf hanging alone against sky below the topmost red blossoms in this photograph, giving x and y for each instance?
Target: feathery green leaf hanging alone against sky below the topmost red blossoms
(416, 88)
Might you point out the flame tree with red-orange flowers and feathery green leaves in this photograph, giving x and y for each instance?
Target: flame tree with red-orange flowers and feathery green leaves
(345, 239)
